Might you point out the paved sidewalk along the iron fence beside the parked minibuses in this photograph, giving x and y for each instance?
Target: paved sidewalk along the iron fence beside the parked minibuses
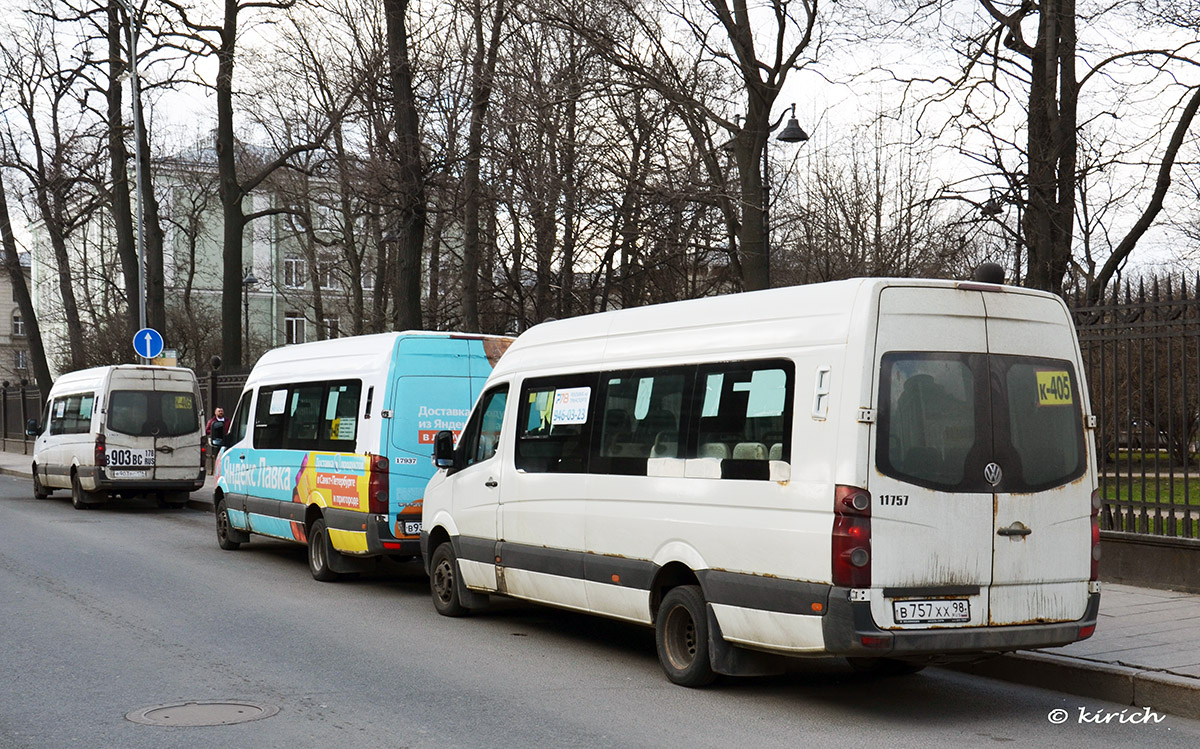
(1145, 651)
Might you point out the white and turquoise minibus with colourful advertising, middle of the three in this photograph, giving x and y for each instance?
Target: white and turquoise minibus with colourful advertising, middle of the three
(331, 441)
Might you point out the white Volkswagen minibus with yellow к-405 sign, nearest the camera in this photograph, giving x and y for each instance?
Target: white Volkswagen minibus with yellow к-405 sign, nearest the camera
(886, 470)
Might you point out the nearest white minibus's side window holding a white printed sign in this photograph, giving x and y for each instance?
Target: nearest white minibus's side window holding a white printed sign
(554, 426)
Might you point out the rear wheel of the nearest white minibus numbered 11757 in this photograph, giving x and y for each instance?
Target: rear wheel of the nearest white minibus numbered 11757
(681, 636)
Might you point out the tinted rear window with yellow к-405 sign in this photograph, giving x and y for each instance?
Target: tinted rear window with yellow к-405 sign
(944, 417)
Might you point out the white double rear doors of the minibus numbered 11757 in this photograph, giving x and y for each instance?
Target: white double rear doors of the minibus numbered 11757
(980, 514)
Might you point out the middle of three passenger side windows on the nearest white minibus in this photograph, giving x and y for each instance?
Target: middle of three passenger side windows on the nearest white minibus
(645, 417)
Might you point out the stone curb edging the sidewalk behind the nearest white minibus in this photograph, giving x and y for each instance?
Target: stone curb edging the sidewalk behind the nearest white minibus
(1161, 691)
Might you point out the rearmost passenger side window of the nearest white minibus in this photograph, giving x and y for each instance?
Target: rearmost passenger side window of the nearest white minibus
(745, 417)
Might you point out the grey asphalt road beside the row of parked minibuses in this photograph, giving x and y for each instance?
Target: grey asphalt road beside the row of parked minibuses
(116, 609)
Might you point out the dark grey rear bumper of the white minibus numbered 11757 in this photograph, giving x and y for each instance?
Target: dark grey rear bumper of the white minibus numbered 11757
(847, 625)
